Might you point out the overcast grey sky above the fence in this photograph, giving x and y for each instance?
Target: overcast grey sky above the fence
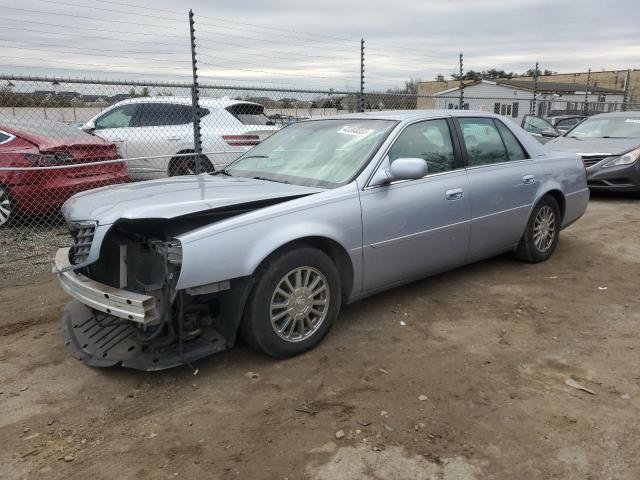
(314, 43)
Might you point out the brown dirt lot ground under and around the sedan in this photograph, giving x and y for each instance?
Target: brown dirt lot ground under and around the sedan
(457, 377)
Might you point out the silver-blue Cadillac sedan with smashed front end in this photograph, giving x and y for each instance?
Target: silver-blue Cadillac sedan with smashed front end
(322, 213)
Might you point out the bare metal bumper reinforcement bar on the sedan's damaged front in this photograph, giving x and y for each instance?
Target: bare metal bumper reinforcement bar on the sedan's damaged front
(104, 298)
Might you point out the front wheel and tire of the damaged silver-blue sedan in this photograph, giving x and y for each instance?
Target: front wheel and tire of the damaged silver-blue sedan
(293, 304)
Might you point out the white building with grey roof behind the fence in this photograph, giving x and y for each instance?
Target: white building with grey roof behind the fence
(514, 98)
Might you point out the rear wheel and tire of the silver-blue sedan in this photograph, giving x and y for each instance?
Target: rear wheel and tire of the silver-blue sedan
(540, 238)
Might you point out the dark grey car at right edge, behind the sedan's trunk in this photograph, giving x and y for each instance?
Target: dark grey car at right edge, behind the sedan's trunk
(609, 145)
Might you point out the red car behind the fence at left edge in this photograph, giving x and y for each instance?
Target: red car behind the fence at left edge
(45, 143)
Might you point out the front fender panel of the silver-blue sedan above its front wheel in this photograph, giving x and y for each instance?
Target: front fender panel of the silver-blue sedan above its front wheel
(235, 248)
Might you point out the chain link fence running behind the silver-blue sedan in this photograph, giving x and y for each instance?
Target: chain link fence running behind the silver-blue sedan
(60, 137)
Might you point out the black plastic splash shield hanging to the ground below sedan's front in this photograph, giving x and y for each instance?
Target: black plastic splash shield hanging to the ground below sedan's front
(105, 341)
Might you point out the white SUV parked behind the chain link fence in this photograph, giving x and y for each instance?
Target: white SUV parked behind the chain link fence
(162, 126)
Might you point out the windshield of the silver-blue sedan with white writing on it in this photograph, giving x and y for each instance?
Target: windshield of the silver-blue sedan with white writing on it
(321, 153)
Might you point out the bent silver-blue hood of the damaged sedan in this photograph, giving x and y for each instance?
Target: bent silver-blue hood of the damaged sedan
(173, 197)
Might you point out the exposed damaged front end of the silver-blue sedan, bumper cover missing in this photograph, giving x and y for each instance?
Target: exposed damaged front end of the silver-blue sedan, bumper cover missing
(126, 308)
